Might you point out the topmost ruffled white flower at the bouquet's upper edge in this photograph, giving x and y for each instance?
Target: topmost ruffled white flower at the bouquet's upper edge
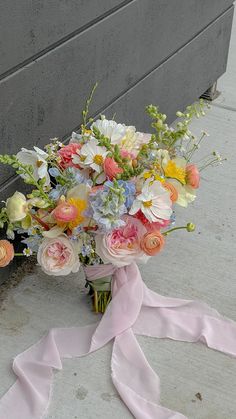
(110, 129)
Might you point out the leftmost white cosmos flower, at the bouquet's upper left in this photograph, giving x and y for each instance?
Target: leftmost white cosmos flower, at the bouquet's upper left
(37, 159)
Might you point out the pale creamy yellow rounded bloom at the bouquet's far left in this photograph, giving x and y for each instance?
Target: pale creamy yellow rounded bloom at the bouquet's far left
(16, 207)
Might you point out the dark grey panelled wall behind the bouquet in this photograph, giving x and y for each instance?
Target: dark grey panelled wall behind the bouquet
(140, 51)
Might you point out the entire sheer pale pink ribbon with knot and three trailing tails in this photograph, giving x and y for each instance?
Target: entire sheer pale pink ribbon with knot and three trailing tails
(134, 309)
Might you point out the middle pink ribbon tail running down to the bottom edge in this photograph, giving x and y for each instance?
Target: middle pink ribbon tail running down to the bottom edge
(135, 381)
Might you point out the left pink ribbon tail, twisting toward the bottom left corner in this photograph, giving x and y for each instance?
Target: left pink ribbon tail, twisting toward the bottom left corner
(28, 398)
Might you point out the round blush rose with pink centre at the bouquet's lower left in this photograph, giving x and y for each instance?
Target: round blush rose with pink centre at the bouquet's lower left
(58, 256)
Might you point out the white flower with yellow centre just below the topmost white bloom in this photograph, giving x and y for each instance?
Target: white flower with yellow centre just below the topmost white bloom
(92, 155)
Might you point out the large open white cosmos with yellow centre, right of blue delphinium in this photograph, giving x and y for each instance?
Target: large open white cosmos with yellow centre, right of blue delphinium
(154, 202)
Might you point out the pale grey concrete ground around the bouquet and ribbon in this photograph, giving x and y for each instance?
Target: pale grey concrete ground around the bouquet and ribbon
(195, 266)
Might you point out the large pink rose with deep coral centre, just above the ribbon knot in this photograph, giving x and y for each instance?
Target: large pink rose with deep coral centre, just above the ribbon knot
(122, 245)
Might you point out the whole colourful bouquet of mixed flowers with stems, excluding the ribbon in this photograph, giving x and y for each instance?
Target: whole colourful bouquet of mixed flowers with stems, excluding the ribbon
(106, 197)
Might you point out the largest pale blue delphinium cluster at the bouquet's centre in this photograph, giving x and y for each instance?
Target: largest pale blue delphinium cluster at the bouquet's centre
(108, 206)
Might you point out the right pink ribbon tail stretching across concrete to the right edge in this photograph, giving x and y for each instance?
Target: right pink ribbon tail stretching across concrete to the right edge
(186, 320)
